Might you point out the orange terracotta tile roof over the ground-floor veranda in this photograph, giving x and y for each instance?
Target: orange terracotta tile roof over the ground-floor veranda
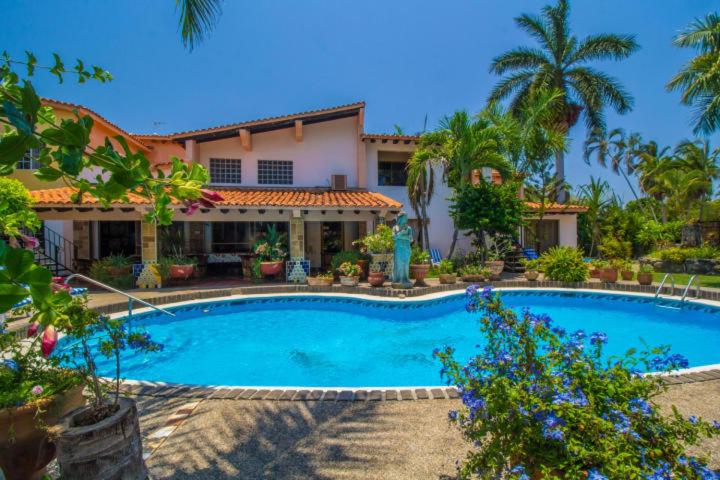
(248, 197)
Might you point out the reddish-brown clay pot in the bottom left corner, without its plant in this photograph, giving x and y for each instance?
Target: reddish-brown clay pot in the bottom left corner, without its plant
(26, 452)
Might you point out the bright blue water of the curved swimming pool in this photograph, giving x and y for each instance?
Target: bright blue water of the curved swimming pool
(331, 341)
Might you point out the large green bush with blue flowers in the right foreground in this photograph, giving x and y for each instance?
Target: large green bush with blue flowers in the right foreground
(540, 402)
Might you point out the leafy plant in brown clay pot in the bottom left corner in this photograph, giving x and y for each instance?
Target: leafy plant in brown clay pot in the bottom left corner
(35, 392)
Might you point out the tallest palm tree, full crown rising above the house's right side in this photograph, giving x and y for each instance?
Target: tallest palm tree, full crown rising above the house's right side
(560, 63)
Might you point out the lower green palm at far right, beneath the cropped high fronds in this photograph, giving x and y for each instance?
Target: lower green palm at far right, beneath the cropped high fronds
(701, 164)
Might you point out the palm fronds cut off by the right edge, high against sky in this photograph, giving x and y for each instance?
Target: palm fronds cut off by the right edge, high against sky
(699, 79)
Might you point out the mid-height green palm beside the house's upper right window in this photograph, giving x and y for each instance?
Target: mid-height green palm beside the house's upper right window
(462, 145)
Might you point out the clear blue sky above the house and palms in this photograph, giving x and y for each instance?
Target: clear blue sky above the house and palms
(405, 58)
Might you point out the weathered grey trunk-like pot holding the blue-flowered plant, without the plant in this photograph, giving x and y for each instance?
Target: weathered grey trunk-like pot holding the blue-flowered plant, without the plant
(108, 449)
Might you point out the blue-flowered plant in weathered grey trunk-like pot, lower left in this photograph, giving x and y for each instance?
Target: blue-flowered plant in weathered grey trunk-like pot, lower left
(101, 439)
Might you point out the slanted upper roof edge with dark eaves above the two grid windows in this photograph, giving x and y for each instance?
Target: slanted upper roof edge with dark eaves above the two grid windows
(273, 123)
